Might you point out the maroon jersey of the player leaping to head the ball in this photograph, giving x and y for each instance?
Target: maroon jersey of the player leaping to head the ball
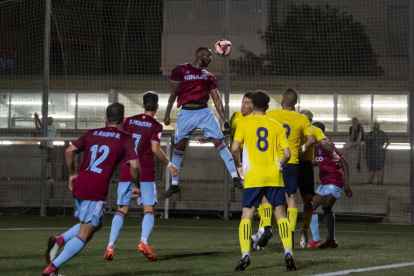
(196, 84)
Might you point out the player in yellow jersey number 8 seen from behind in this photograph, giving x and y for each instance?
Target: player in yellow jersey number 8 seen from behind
(263, 138)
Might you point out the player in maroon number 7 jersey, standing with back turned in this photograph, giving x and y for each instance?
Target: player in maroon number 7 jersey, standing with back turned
(147, 134)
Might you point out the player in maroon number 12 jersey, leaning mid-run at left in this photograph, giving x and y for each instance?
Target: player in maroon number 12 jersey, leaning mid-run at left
(103, 148)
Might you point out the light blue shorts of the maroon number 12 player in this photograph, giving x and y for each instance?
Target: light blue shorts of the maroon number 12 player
(89, 211)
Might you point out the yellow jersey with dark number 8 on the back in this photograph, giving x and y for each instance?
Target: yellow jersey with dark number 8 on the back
(262, 138)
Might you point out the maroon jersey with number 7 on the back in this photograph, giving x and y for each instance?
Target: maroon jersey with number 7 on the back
(144, 129)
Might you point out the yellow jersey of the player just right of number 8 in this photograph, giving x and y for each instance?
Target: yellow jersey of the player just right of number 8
(294, 124)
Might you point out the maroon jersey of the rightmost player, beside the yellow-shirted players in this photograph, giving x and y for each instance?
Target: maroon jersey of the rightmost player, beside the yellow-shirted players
(330, 172)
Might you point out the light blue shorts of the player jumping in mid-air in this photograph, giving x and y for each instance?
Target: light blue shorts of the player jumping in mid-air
(190, 120)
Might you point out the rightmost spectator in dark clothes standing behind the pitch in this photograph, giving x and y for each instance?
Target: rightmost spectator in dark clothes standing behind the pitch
(375, 152)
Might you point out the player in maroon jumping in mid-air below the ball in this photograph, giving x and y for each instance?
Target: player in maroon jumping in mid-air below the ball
(193, 85)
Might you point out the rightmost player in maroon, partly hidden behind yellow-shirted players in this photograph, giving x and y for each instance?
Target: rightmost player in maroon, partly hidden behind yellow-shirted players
(334, 176)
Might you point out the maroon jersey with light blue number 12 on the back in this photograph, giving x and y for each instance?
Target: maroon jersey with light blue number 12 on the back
(103, 149)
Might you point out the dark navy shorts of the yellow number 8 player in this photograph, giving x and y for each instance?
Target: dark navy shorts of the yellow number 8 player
(253, 196)
